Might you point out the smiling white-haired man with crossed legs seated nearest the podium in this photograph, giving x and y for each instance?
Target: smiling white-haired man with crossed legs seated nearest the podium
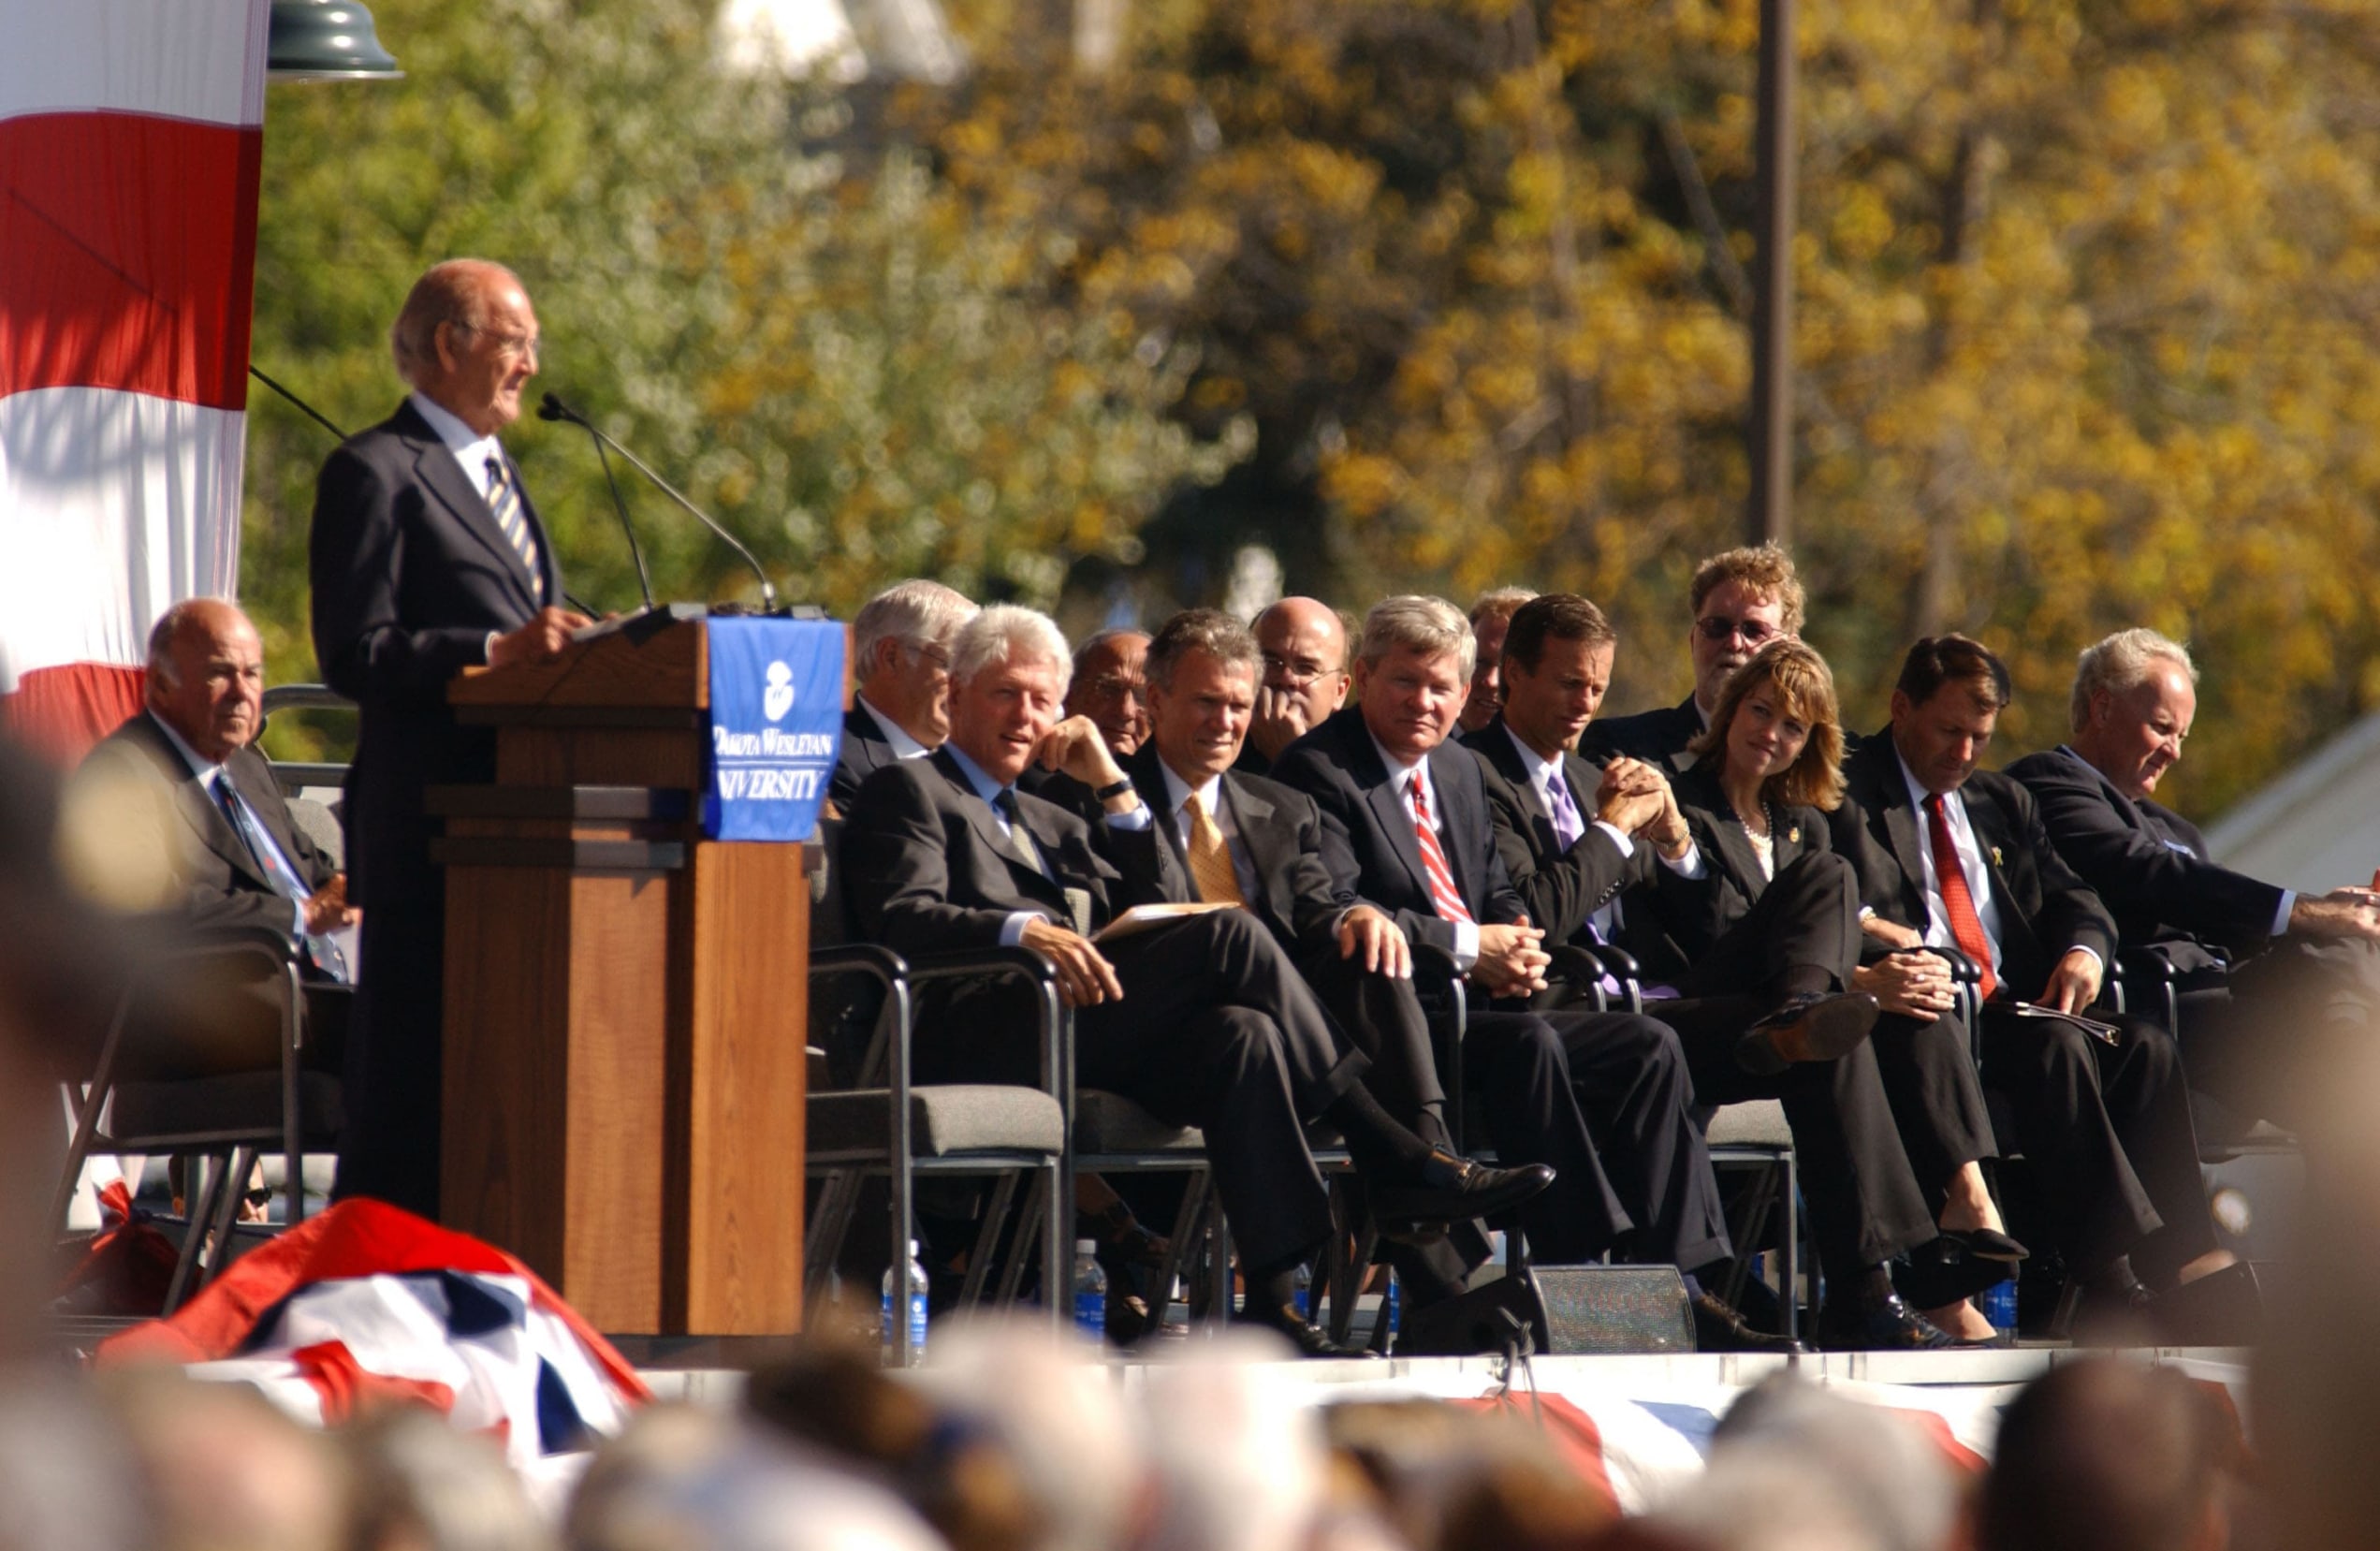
(1203, 1019)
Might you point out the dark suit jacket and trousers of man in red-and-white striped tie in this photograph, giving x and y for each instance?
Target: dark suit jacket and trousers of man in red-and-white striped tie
(1603, 1098)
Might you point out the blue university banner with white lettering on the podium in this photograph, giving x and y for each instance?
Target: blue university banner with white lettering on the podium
(777, 727)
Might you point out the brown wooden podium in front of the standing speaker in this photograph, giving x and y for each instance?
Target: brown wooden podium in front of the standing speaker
(625, 1003)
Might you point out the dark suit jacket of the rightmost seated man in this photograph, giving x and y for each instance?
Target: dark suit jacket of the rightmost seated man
(2148, 865)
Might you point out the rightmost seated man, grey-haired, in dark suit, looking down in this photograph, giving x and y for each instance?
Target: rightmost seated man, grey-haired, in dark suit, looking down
(2305, 972)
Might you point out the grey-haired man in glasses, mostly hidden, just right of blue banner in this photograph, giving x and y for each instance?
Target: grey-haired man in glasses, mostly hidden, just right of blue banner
(901, 708)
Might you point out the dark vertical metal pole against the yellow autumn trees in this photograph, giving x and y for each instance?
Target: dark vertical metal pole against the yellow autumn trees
(1772, 306)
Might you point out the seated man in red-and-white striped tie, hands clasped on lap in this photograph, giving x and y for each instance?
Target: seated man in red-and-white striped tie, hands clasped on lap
(1405, 824)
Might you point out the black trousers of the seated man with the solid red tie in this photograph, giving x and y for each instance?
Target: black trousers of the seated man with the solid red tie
(2110, 1141)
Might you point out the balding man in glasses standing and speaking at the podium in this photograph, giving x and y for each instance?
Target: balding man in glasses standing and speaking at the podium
(427, 560)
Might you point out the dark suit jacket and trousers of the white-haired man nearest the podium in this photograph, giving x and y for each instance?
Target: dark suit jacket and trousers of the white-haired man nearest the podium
(1215, 1026)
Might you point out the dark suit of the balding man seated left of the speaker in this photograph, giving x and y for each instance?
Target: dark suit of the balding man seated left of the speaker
(225, 891)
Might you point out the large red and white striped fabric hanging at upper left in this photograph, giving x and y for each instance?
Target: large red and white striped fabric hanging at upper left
(132, 139)
